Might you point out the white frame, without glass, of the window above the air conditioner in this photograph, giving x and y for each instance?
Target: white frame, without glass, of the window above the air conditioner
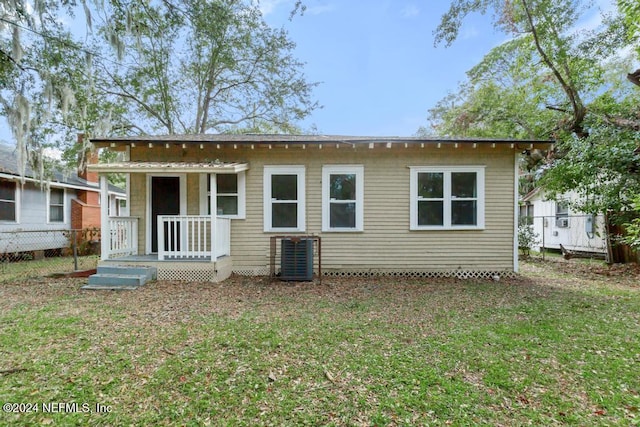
(300, 172)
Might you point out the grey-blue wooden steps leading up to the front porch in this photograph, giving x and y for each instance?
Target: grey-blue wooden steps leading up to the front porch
(120, 278)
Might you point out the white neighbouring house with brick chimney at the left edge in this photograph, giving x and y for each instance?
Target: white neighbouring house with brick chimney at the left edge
(54, 206)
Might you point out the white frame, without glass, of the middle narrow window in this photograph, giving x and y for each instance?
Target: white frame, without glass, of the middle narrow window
(327, 171)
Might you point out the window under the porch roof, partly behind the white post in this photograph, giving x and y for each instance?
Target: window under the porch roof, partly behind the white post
(230, 195)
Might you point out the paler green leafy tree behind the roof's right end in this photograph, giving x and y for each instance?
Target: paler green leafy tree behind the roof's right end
(503, 96)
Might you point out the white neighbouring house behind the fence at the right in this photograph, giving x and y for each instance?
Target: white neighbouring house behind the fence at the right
(555, 224)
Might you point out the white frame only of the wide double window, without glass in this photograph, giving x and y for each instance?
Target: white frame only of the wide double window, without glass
(447, 199)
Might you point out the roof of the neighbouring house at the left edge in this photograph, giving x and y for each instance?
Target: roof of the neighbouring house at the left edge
(9, 169)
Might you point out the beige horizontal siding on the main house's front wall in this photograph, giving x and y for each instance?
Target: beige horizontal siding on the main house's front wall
(386, 242)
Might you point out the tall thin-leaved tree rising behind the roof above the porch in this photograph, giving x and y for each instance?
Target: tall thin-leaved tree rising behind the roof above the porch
(197, 67)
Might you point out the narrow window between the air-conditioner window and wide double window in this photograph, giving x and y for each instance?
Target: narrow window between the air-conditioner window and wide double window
(342, 198)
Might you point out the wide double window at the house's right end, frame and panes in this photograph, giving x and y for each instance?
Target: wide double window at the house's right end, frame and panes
(447, 198)
